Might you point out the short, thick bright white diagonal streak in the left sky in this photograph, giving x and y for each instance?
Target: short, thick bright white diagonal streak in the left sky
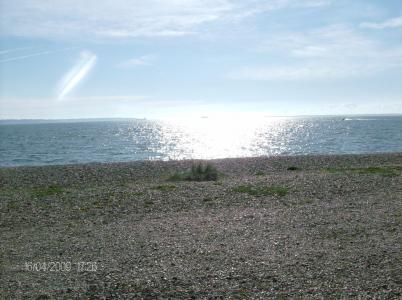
(77, 73)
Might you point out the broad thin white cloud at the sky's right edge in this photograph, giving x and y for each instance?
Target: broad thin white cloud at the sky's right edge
(333, 52)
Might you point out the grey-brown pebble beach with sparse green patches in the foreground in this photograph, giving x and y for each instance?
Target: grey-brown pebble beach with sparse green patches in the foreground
(310, 227)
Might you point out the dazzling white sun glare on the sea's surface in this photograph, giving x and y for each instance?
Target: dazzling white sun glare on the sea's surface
(218, 136)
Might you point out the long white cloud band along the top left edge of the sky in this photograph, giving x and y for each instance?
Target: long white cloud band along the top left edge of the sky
(128, 18)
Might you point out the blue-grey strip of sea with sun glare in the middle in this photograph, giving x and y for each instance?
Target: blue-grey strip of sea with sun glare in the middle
(118, 141)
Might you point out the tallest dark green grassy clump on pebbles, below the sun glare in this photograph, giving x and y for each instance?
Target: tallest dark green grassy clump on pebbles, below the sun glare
(197, 172)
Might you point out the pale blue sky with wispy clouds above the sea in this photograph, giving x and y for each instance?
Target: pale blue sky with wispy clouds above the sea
(168, 58)
